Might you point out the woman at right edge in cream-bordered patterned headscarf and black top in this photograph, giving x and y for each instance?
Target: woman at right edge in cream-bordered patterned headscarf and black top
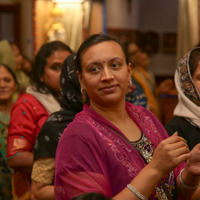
(187, 112)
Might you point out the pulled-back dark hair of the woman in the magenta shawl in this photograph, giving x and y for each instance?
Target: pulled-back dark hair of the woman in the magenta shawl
(92, 40)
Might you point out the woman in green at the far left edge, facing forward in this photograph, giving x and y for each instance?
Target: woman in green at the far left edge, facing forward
(8, 86)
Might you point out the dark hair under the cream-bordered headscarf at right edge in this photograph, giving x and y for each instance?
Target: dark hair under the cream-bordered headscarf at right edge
(194, 59)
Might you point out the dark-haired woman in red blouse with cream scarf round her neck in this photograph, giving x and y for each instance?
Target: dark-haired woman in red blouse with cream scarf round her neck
(31, 111)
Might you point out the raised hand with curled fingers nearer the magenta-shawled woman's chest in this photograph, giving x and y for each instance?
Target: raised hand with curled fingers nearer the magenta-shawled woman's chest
(169, 154)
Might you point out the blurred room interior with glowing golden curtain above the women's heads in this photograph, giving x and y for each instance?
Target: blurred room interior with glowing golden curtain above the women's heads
(164, 29)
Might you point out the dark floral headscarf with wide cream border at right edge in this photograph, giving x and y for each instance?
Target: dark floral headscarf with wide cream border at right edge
(189, 97)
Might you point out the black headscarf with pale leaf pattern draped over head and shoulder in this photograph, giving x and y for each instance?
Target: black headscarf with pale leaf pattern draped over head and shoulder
(49, 135)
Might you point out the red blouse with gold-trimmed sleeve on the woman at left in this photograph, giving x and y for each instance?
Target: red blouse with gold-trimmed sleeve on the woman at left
(27, 117)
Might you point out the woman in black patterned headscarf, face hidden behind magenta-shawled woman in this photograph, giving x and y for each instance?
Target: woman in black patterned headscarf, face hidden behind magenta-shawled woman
(46, 143)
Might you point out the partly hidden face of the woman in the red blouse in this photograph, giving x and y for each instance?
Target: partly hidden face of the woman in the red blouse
(51, 77)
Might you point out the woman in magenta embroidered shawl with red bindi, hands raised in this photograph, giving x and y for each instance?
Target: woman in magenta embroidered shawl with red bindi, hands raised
(116, 148)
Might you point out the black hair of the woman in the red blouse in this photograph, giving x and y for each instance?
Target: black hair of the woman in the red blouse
(40, 62)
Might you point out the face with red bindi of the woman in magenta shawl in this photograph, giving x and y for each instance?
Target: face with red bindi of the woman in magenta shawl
(105, 74)
